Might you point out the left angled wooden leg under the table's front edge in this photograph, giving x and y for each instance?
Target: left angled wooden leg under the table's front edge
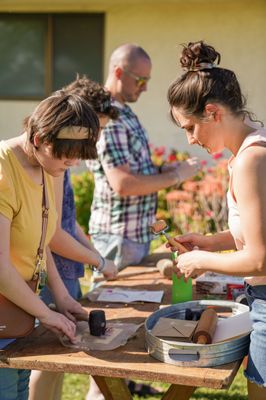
(113, 388)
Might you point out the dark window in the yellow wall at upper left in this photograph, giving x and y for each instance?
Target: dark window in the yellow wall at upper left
(41, 53)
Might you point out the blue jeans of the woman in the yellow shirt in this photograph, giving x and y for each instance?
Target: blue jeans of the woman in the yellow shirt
(14, 384)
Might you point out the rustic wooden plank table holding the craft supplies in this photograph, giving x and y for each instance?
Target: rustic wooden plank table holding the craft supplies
(43, 351)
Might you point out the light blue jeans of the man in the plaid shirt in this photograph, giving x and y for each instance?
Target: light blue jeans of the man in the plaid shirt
(122, 251)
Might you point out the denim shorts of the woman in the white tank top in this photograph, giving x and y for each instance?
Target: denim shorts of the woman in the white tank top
(256, 367)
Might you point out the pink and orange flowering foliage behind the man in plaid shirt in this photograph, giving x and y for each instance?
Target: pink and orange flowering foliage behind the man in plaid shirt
(197, 205)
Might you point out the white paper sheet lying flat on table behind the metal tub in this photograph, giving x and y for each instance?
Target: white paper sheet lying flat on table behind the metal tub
(120, 295)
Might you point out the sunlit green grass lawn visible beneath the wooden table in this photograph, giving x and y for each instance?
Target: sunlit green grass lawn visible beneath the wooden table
(76, 386)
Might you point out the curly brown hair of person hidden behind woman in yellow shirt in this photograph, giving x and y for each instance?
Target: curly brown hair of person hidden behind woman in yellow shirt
(94, 93)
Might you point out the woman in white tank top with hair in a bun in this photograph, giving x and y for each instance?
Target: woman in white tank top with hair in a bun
(207, 102)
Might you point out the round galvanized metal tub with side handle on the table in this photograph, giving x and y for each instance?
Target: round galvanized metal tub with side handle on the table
(190, 354)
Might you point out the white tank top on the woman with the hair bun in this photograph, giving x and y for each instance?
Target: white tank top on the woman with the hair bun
(258, 136)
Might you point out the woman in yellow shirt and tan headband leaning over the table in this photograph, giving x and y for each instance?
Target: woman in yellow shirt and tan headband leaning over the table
(62, 129)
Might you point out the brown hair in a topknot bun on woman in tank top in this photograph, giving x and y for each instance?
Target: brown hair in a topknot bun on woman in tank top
(204, 81)
